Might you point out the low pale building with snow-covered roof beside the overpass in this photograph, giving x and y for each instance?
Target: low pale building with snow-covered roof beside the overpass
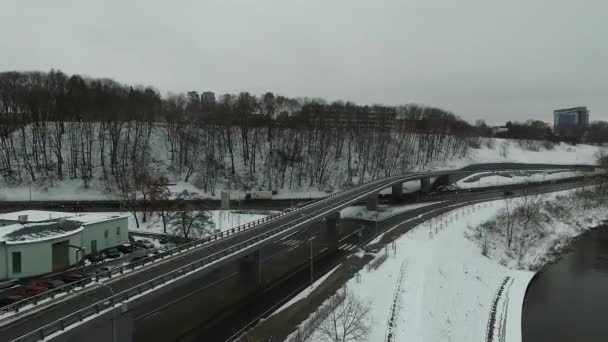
(36, 242)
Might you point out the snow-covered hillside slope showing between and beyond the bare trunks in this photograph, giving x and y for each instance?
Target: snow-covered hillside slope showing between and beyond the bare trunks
(290, 181)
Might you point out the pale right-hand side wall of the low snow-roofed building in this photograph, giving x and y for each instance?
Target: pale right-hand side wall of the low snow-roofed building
(117, 234)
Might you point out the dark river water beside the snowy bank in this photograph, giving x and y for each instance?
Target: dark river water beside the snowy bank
(568, 300)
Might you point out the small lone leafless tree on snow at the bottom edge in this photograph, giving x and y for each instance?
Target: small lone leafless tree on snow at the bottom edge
(350, 321)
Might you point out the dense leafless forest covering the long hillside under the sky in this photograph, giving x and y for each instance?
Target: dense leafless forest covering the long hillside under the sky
(55, 127)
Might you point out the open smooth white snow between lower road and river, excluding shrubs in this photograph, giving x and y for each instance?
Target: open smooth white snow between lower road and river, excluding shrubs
(447, 288)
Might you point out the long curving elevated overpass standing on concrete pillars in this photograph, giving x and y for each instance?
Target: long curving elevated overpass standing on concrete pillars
(159, 276)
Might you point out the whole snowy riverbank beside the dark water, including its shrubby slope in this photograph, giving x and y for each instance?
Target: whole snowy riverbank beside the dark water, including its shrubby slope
(436, 284)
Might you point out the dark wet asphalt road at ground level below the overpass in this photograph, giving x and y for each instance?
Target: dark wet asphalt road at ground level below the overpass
(212, 311)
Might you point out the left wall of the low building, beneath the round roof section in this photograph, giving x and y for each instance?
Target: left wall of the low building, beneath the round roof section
(36, 257)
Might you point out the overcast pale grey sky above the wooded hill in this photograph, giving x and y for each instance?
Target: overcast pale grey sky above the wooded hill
(482, 59)
